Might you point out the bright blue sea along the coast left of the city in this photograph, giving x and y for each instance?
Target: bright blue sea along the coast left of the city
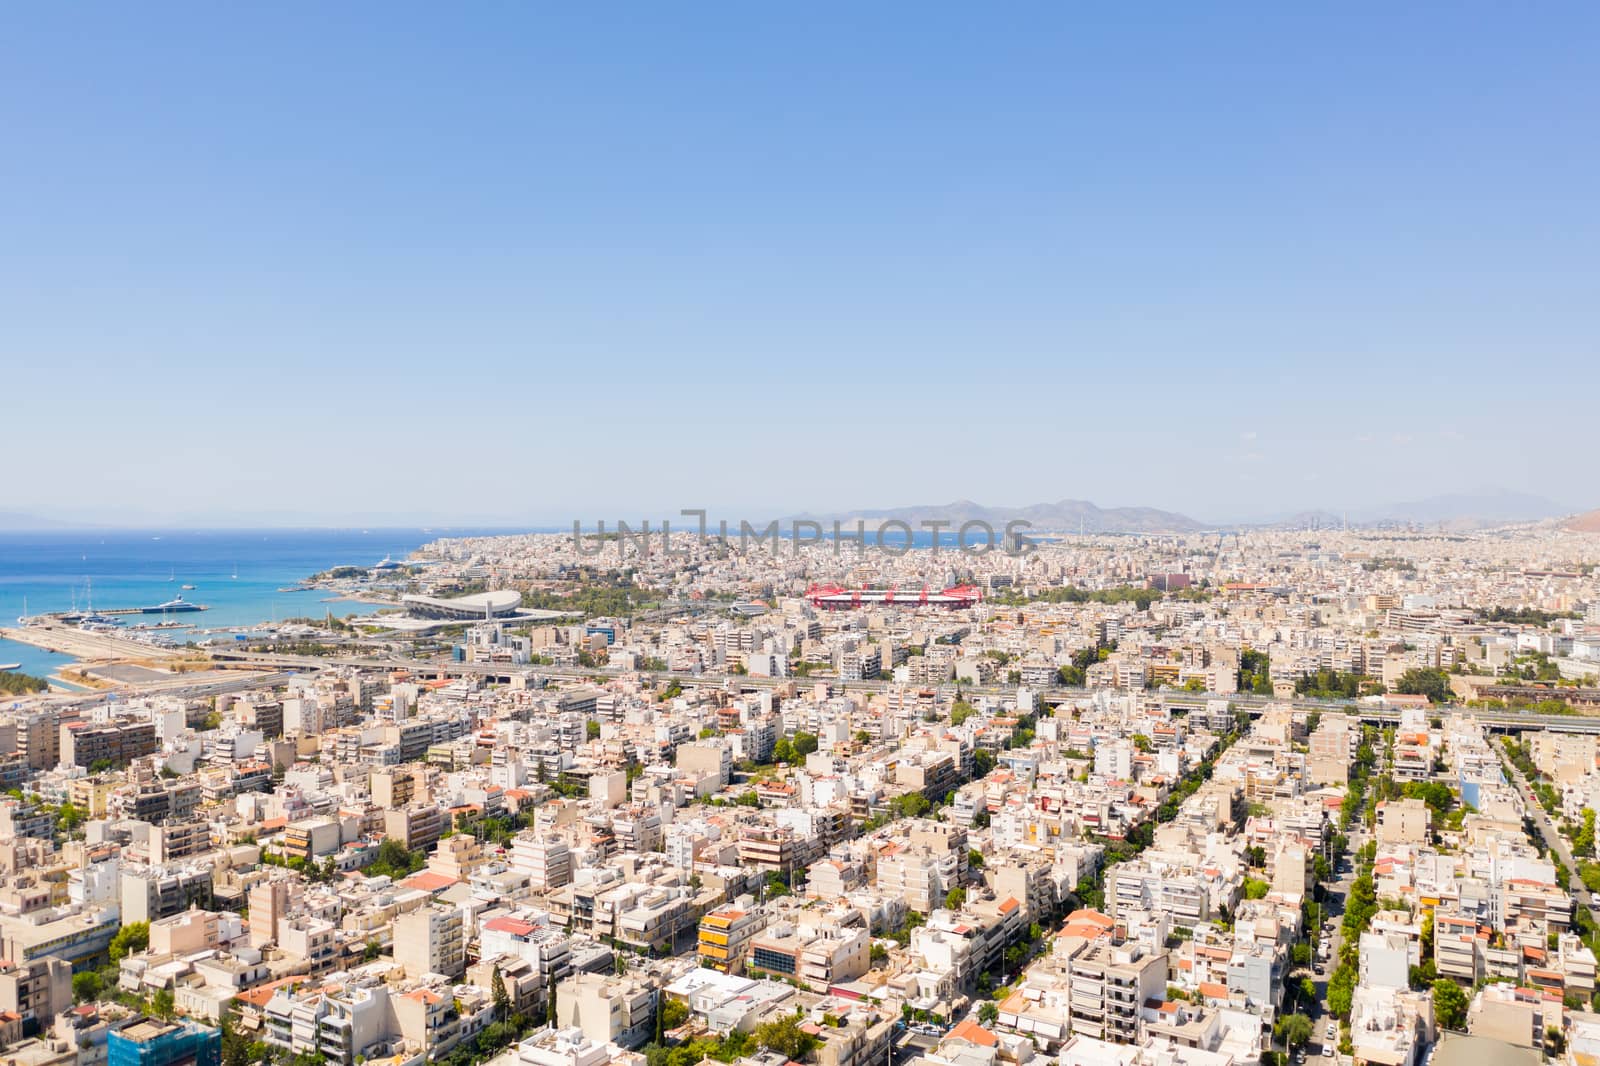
(238, 575)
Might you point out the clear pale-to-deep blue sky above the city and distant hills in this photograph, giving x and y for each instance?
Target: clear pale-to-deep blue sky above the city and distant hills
(514, 262)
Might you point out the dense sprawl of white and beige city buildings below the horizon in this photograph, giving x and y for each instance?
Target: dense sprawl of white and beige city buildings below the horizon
(1273, 796)
